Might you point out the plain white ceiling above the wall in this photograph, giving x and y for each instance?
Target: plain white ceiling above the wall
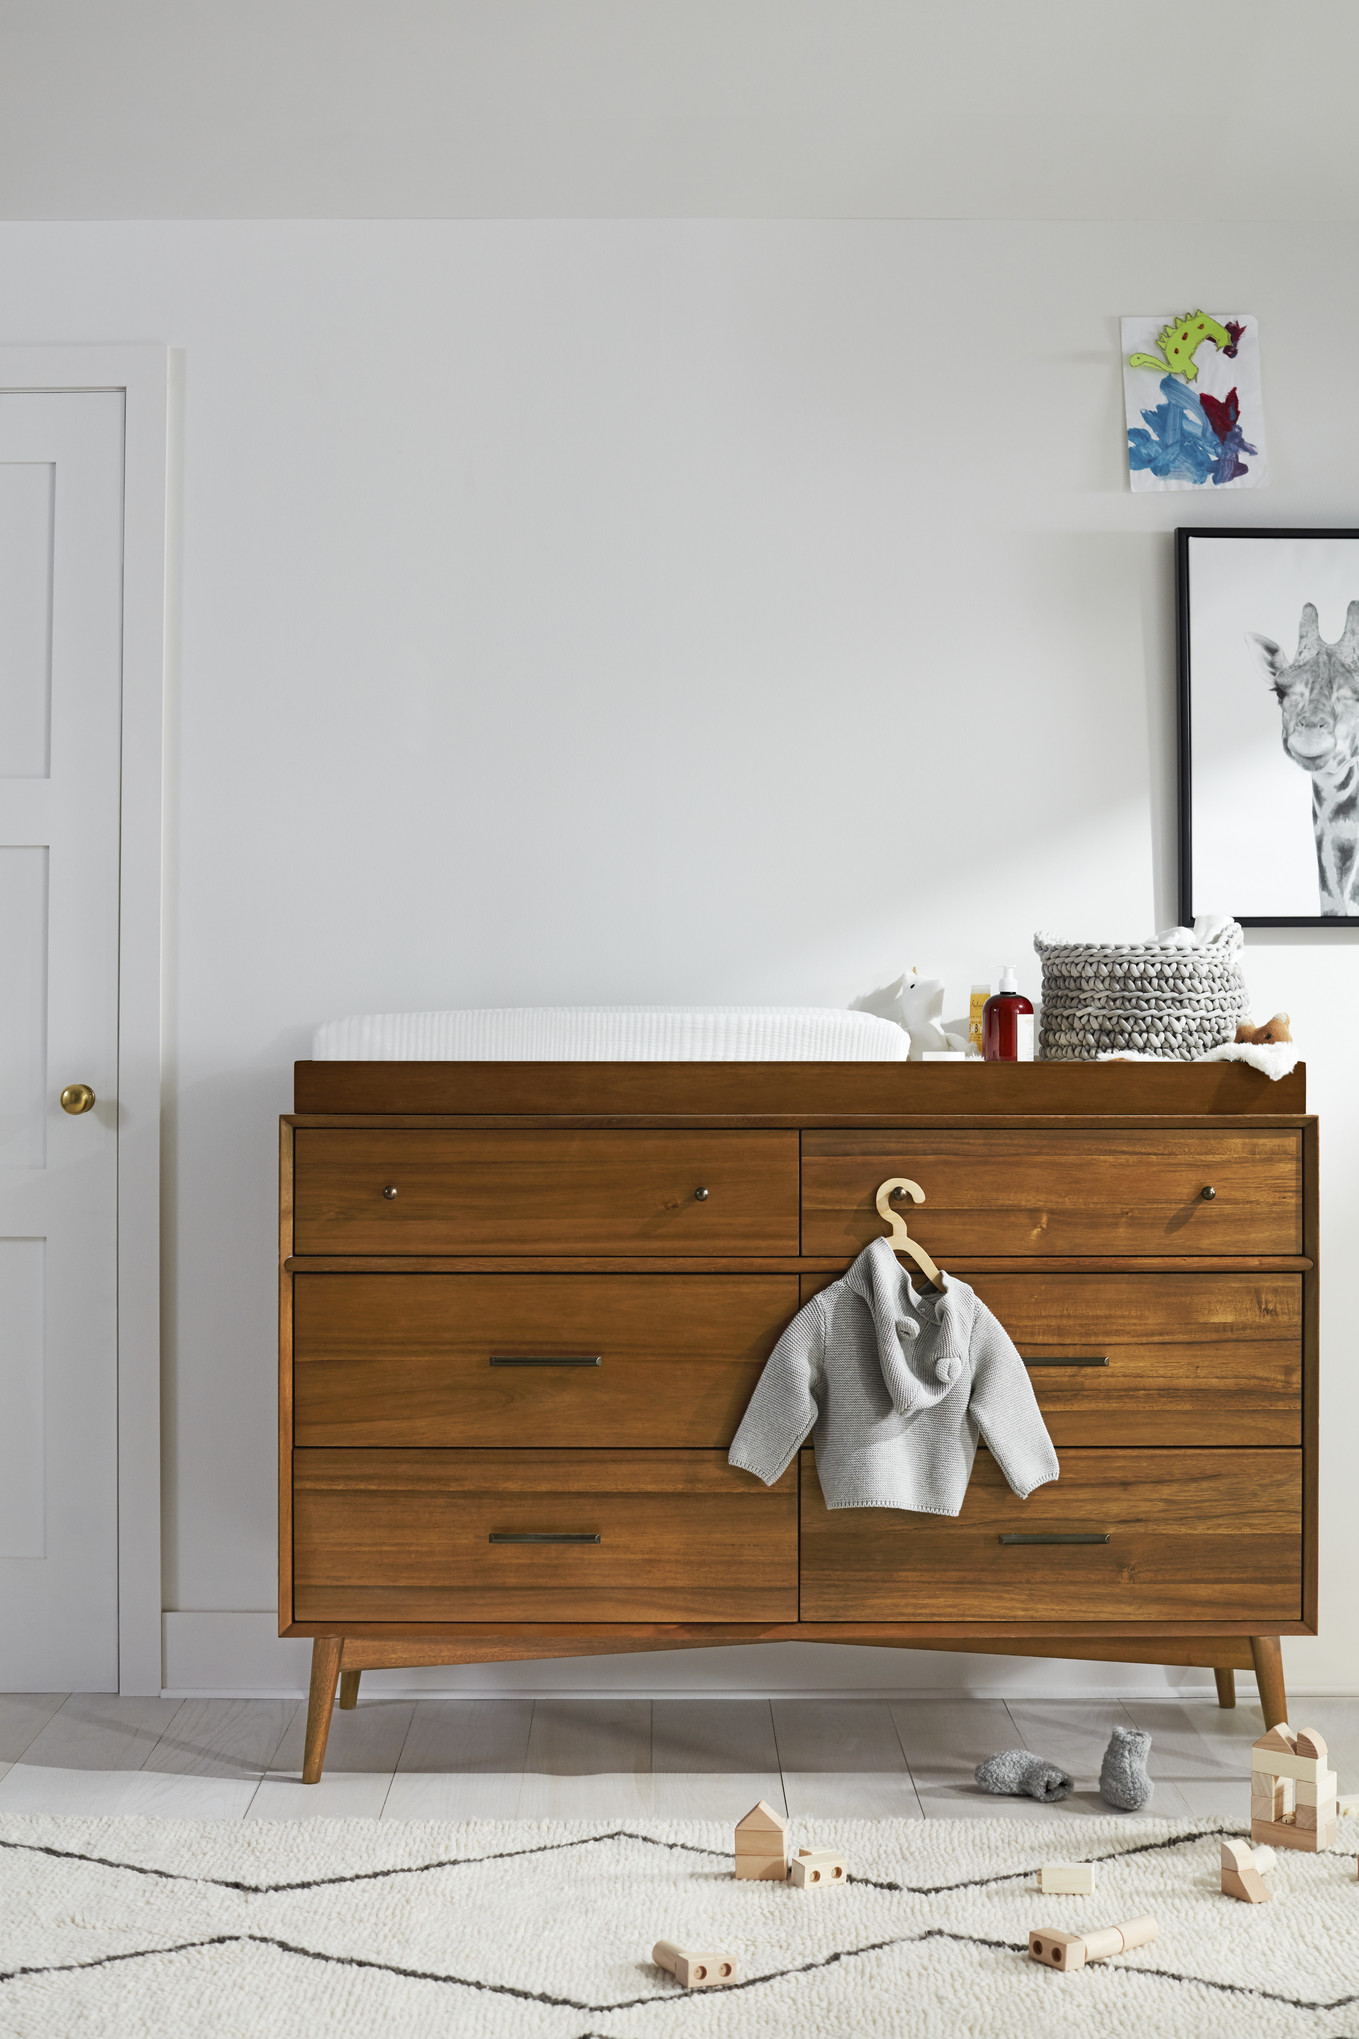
(828, 109)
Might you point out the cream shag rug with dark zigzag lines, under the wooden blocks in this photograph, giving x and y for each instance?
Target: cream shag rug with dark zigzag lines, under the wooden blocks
(512, 1930)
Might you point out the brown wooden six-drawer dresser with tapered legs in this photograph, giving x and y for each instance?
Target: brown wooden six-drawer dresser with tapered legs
(525, 1306)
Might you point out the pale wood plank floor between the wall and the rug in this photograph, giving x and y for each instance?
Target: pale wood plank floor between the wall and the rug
(627, 1759)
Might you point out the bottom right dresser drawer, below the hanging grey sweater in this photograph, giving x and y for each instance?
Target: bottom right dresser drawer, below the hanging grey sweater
(1193, 1536)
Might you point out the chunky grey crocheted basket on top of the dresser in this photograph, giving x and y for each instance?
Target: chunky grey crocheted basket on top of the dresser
(1142, 998)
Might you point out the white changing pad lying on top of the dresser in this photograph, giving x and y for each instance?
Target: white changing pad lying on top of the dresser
(616, 1035)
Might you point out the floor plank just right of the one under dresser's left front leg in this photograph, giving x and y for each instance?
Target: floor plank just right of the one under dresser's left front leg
(464, 1759)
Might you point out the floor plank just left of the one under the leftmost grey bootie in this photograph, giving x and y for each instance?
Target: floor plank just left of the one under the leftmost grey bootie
(842, 1759)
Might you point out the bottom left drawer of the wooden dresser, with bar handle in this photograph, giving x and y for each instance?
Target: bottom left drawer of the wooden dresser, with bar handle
(415, 1536)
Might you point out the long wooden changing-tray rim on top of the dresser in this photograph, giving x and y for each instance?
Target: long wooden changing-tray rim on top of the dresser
(798, 1092)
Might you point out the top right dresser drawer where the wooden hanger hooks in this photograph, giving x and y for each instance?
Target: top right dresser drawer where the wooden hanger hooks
(1038, 1192)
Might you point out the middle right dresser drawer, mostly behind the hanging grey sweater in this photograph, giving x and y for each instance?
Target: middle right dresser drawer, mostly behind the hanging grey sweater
(1154, 1359)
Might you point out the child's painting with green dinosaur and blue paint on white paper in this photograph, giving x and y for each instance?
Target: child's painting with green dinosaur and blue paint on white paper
(1191, 395)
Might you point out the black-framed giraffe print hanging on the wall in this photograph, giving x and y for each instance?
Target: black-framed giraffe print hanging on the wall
(1268, 725)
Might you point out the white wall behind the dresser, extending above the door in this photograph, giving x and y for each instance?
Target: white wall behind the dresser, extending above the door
(657, 611)
